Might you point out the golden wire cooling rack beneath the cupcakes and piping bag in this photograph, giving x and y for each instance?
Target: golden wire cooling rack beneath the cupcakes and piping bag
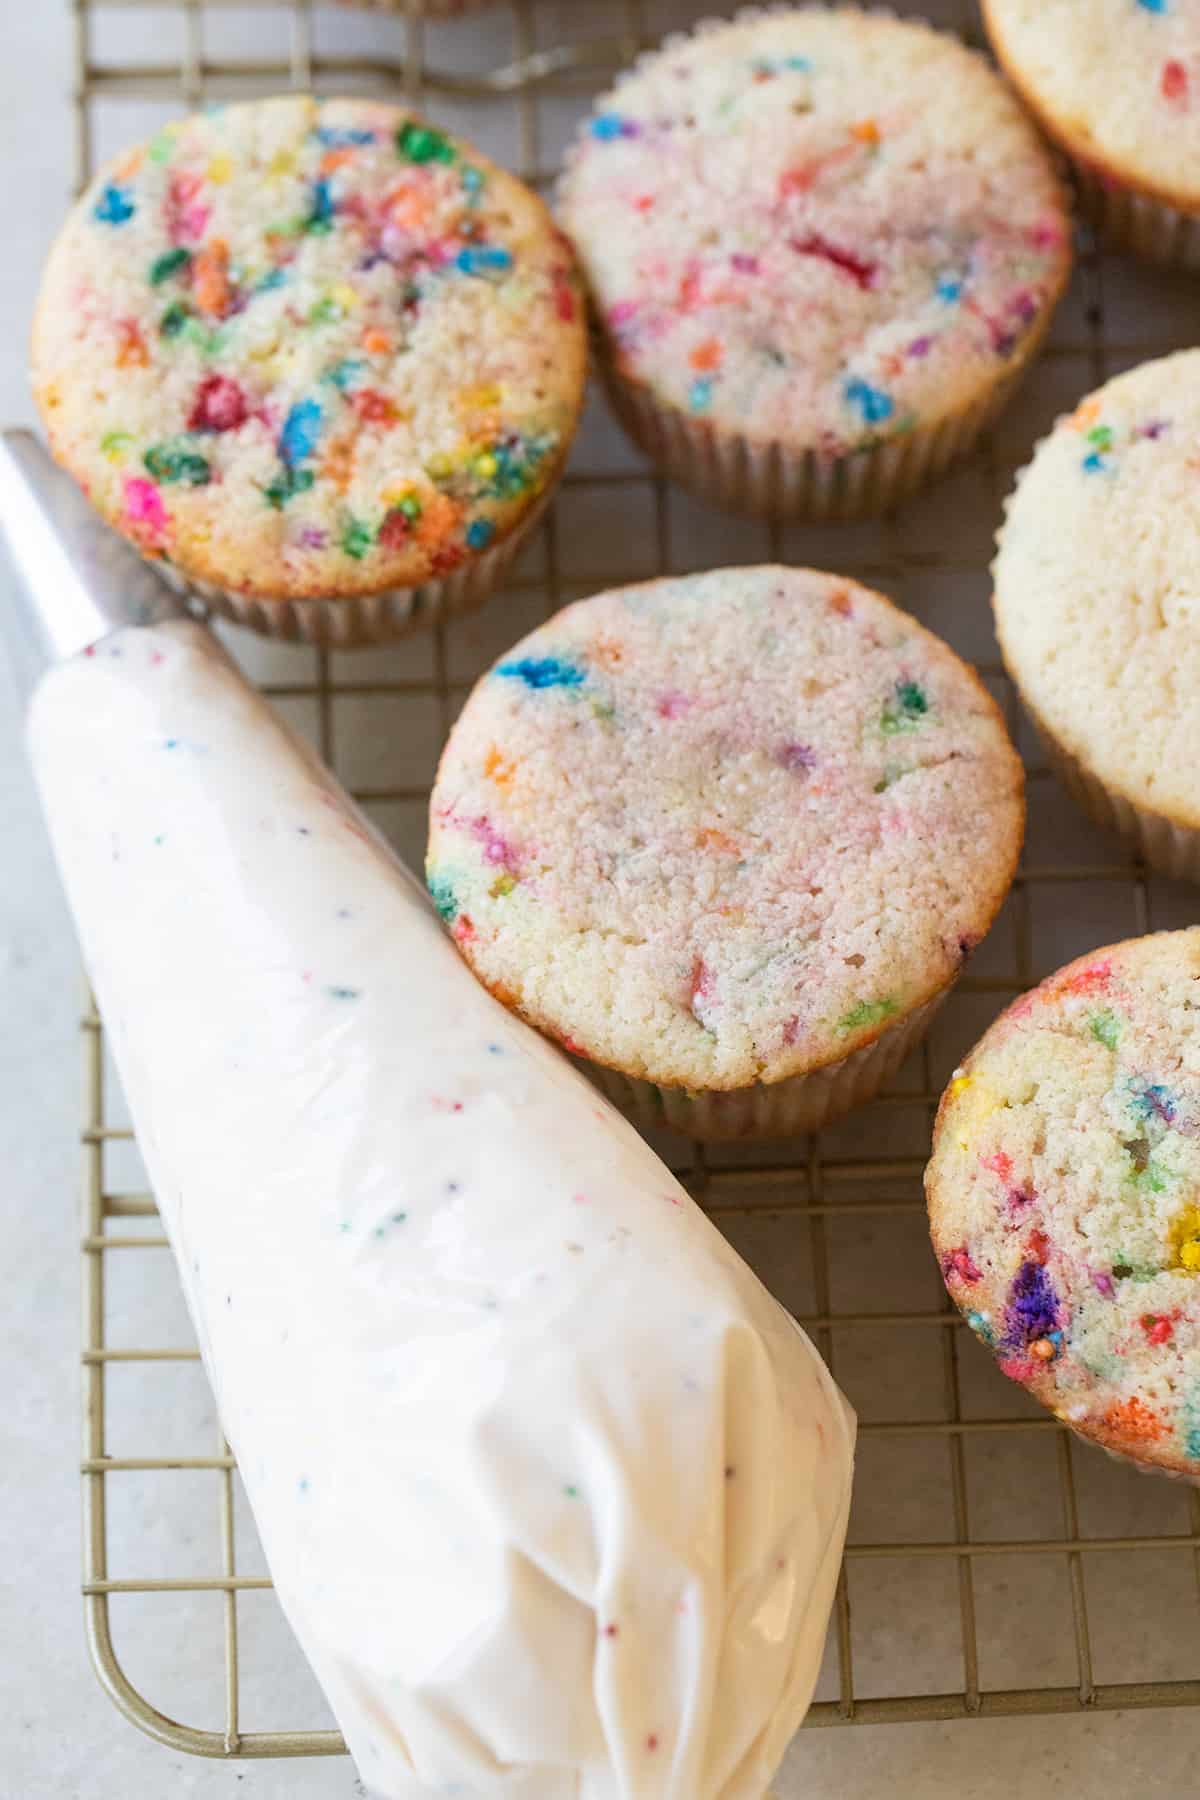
(994, 1565)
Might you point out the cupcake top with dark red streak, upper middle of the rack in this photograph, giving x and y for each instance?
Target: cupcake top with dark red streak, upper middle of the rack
(821, 228)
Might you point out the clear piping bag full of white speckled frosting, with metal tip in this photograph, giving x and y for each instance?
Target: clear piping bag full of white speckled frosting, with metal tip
(551, 1489)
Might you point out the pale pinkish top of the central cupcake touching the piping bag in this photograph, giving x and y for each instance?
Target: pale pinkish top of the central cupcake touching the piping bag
(724, 829)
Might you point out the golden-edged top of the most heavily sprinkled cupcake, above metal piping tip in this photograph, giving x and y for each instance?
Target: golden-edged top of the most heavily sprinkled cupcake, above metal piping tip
(310, 348)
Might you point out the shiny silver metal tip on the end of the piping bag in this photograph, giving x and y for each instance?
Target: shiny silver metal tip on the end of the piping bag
(76, 580)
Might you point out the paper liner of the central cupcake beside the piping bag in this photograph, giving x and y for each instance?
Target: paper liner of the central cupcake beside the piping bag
(769, 1110)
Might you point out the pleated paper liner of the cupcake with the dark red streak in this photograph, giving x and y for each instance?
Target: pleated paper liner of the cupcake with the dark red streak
(775, 481)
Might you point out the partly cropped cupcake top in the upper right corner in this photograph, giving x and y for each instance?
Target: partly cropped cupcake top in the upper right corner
(1116, 82)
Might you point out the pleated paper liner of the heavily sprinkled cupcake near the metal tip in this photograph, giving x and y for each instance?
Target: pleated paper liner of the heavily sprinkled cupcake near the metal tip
(357, 620)
